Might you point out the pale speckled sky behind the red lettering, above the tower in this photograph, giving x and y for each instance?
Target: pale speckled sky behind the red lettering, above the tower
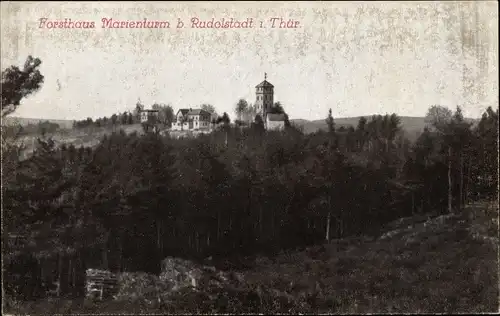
(357, 58)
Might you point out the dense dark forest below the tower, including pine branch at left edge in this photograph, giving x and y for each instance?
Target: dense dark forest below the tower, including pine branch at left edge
(133, 200)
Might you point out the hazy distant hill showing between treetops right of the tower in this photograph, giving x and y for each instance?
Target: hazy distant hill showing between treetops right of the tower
(412, 126)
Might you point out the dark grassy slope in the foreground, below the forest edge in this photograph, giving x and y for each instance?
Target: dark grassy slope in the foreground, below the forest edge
(447, 264)
